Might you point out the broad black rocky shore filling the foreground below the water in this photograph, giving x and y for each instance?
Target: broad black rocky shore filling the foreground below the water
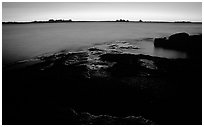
(103, 86)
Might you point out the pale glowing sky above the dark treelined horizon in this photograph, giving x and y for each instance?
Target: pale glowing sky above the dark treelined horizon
(102, 11)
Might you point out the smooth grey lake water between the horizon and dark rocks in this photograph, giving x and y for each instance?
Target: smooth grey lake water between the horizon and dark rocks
(24, 41)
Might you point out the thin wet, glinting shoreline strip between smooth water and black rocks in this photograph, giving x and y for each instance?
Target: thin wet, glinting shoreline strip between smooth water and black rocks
(122, 46)
